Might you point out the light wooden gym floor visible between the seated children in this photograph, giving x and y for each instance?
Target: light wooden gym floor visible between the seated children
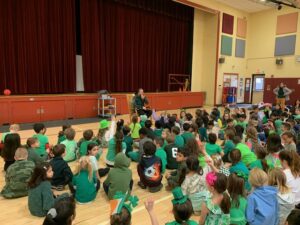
(15, 211)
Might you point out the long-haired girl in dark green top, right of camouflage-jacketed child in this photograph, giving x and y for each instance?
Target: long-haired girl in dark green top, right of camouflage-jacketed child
(40, 196)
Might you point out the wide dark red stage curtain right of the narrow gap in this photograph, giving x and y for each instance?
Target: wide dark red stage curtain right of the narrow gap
(127, 44)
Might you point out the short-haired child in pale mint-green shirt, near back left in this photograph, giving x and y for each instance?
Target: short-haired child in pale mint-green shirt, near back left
(70, 144)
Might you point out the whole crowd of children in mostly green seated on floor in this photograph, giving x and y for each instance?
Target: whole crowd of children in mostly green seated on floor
(259, 169)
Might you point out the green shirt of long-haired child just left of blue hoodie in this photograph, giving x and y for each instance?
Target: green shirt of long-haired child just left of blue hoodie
(237, 214)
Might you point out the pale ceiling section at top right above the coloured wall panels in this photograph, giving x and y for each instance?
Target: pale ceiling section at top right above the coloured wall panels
(250, 6)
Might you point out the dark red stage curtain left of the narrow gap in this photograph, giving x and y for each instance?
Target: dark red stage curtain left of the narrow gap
(37, 46)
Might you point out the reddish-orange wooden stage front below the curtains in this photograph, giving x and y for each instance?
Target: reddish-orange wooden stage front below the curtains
(40, 108)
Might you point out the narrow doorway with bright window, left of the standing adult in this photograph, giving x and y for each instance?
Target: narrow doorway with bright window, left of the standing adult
(258, 84)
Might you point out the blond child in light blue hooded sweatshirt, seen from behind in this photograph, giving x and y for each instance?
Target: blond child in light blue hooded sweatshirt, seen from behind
(262, 205)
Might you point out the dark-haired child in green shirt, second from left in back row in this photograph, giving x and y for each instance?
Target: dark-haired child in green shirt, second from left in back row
(40, 131)
